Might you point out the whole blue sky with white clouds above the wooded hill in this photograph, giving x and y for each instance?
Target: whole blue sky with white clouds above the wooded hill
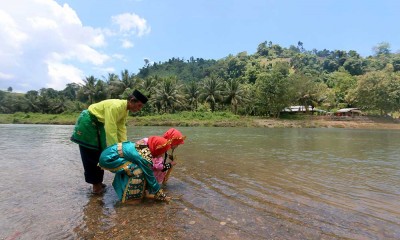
(50, 43)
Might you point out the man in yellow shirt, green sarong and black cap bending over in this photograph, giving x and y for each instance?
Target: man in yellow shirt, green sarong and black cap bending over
(103, 124)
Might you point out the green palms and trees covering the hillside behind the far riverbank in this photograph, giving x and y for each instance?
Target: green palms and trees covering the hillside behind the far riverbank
(259, 84)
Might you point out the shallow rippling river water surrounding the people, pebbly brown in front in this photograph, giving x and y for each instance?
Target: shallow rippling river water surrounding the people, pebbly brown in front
(230, 183)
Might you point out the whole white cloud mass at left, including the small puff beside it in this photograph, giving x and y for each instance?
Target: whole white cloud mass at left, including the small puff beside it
(45, 44)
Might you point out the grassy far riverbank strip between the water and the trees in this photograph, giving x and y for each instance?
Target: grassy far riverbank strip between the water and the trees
(217, 119)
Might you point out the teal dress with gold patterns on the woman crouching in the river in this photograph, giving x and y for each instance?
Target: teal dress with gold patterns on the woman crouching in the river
(132, 166)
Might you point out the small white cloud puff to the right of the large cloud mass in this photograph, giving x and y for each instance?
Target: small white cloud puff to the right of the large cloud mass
(130, 23)
